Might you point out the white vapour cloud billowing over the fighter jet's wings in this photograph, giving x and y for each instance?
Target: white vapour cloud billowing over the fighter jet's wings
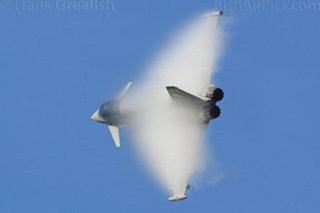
(168, 137)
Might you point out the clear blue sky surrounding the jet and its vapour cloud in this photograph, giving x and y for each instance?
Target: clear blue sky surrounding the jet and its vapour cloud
(57, 67)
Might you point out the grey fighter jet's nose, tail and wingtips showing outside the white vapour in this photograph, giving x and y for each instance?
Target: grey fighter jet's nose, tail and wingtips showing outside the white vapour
(204, 106)
